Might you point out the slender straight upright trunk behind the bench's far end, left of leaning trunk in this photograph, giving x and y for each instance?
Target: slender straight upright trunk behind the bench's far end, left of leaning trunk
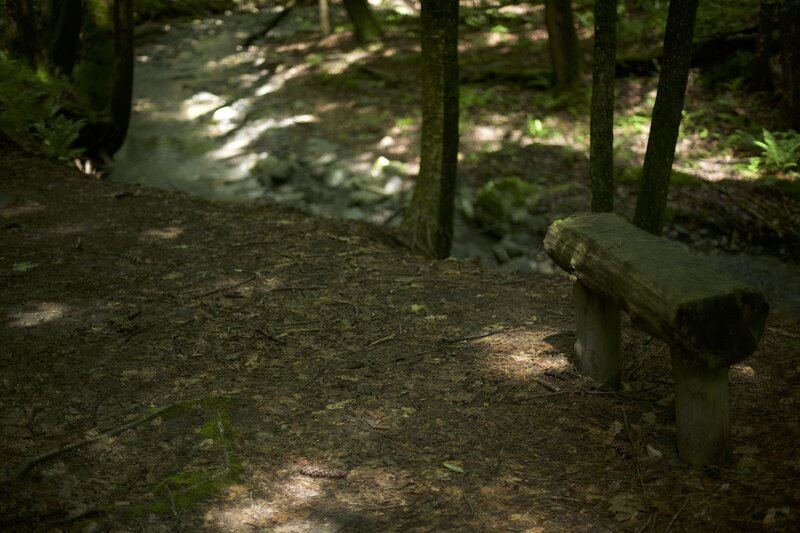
(601, 152)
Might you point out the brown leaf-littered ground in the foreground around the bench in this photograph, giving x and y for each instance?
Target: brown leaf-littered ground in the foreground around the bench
(199, 366)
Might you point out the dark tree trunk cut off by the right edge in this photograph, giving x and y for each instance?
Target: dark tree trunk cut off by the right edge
(790, 62)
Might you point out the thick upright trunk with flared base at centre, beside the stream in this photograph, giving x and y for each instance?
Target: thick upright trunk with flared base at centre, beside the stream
(428, 222)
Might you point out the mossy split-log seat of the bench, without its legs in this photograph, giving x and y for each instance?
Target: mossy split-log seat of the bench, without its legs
(674, 295)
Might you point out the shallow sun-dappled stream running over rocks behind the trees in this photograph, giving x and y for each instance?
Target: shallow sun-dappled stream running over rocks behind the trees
(204, 123)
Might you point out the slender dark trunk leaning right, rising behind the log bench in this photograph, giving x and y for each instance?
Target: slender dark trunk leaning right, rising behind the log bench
(652, 200)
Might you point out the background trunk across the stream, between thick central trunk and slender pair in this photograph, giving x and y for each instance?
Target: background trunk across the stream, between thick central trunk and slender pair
(565, 52)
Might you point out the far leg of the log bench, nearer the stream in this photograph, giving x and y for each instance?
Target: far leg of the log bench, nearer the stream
(597, 349)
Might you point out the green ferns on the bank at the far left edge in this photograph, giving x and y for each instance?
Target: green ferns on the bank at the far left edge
(31, 110)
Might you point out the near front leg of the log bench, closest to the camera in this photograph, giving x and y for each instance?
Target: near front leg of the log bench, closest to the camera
(701, 412)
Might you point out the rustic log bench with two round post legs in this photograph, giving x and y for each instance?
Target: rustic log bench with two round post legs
(709, 320)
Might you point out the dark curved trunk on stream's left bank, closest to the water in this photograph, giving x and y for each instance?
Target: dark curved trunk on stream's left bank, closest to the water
(122, 75)
